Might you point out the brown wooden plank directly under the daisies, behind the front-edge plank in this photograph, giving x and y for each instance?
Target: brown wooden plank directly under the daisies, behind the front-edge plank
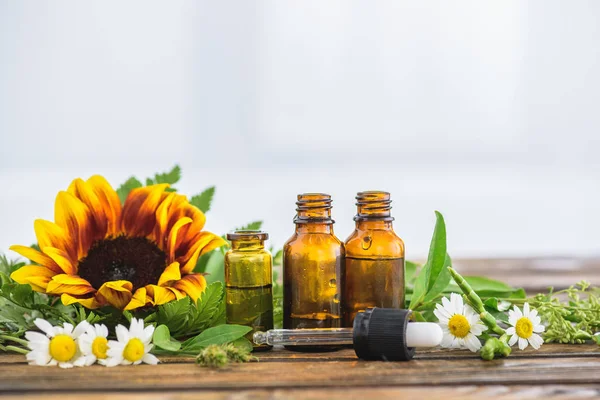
(304, 373)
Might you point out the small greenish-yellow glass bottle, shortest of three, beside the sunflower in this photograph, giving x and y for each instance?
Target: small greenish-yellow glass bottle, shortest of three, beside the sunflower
(249, 282)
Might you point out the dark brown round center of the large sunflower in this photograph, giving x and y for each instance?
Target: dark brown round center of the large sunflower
(137, 260)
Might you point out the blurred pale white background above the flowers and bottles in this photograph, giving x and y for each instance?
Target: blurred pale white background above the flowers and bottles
(486, 111)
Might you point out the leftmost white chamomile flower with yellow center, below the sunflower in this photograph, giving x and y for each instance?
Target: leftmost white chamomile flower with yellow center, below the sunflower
(57, 346)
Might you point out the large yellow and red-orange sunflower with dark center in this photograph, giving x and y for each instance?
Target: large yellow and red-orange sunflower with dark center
(99, 253)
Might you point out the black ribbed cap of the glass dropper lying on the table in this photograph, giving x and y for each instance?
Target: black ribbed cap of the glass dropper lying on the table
(380, 334)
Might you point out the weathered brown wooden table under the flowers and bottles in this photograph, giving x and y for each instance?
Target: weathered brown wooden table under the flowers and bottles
(555, 371)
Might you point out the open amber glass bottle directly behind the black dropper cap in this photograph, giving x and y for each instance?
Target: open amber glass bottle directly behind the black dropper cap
(374, 266)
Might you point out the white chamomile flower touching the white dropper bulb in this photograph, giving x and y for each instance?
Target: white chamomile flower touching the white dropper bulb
(460, 323)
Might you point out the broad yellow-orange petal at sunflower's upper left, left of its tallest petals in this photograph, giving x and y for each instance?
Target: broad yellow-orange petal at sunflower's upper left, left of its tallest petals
(74, 217)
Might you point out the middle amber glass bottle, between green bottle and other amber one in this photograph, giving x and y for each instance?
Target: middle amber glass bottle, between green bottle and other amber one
(312, 264)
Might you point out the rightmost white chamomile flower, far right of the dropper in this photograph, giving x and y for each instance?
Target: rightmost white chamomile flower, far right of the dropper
(525, 327)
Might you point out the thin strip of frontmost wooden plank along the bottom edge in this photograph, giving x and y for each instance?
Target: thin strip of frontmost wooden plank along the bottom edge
(409, 392)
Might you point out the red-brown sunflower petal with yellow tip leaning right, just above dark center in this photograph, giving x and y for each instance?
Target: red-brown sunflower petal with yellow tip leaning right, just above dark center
(139, 211)
